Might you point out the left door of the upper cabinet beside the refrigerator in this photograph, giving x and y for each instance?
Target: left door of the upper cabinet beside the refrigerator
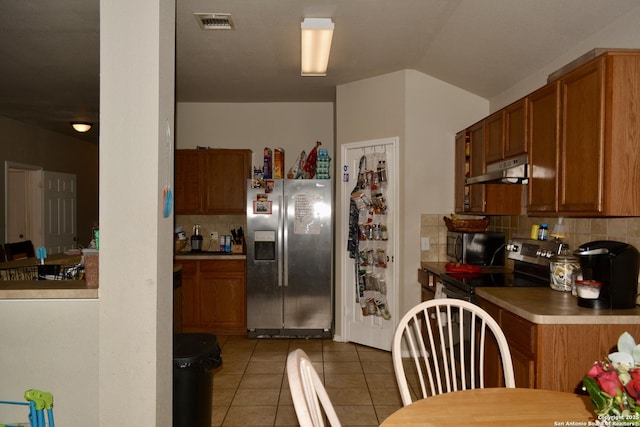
(187, 182)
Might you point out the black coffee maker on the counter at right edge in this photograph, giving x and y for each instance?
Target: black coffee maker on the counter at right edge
(615, 265)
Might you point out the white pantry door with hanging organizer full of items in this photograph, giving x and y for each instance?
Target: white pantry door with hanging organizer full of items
(370, 278)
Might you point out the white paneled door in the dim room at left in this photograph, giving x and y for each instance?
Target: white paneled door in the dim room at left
(59, 211)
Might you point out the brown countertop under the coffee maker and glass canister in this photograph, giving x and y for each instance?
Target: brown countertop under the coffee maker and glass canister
(546, 306)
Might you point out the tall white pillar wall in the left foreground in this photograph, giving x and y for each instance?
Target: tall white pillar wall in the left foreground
(136, 241)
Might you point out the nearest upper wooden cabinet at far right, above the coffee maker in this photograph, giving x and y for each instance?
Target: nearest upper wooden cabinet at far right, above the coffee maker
(598, 155)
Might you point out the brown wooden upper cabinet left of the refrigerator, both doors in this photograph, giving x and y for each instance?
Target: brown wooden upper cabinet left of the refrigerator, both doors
(211, 181)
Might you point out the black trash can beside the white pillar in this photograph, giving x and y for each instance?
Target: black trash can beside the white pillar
(194, 358)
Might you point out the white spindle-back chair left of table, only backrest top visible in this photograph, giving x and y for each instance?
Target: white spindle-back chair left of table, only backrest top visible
(310, 398)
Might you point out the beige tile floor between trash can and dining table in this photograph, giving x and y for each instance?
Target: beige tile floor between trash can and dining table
(251, 389)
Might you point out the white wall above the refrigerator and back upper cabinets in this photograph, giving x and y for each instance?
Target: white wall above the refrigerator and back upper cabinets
(294, 126)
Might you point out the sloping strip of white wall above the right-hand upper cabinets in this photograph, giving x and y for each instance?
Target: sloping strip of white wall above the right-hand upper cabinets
(623, 33)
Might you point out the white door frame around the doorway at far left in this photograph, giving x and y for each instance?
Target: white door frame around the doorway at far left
(34, 209)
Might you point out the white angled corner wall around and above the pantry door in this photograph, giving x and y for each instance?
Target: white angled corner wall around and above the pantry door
(425, 113)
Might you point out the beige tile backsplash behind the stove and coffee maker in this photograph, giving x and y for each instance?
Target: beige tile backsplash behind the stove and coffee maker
(576, 230)
